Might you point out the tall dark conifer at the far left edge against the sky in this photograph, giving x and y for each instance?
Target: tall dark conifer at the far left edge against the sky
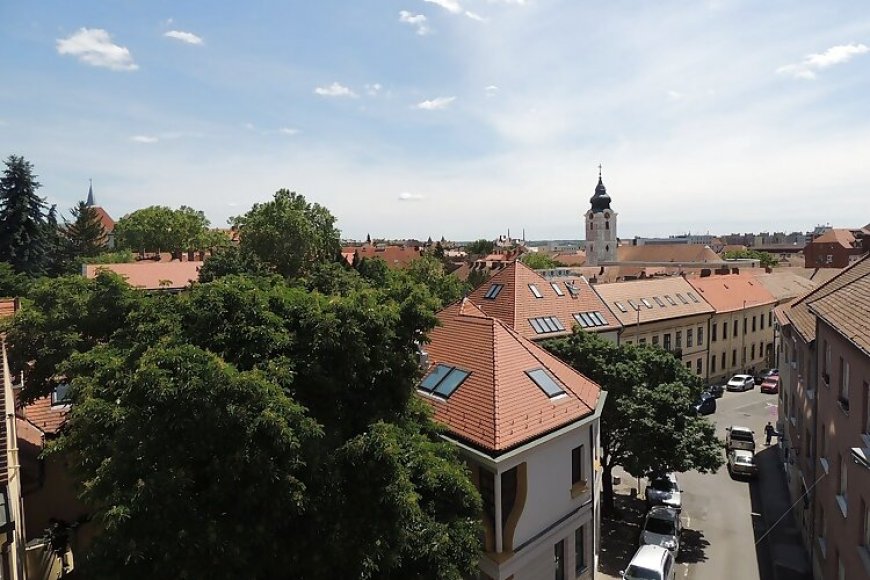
(26, 221)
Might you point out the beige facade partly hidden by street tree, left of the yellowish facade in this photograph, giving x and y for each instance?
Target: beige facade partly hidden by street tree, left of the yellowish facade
(689, 335)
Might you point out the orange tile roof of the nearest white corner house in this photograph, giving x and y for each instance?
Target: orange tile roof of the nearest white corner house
(499, 406)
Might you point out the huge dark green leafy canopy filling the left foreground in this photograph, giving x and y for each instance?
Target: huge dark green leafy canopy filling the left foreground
(211, 431)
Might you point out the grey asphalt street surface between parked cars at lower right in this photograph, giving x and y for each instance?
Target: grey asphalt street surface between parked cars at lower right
(722, 516)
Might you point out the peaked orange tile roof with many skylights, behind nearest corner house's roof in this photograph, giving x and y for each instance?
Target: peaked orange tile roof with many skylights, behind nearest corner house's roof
(515, 304)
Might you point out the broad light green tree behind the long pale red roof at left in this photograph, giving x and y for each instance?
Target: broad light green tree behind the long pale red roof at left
(162, 229)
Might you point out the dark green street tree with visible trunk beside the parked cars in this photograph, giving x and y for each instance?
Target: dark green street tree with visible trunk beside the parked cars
(647, 424)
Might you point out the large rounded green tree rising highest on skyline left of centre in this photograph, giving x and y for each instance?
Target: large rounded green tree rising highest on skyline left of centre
(289, 234)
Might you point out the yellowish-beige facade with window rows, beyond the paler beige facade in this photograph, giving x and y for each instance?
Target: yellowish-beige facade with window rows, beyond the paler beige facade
(741, 340)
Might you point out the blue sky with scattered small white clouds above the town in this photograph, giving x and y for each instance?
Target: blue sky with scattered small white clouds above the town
(454, 118)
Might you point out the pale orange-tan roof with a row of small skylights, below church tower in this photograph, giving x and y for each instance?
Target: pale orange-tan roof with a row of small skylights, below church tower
(667, 290)
